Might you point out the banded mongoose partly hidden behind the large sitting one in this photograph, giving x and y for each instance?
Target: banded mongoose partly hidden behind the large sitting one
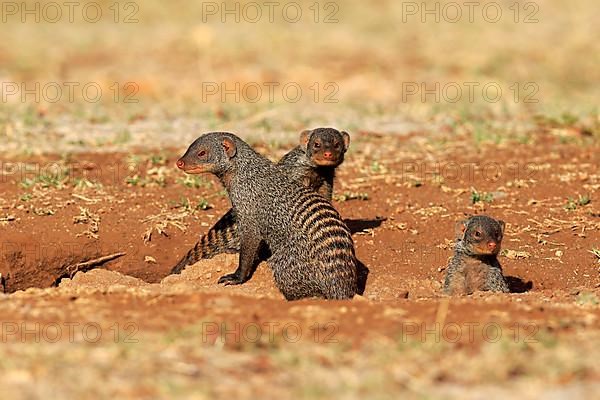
(312, 163)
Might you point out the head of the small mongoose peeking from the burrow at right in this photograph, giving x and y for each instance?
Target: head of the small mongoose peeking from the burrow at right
(480, 235)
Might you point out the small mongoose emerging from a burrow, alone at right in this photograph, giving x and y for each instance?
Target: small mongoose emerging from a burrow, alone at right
(475, 265)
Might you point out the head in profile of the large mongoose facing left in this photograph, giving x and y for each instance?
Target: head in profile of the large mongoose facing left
(210, 153)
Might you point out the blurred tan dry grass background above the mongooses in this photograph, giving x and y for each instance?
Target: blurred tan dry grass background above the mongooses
(105, 74)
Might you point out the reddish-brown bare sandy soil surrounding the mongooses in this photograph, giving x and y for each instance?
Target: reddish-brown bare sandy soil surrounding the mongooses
(403, 232)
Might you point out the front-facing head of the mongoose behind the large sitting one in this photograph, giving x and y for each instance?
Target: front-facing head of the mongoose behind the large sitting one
(325, 146)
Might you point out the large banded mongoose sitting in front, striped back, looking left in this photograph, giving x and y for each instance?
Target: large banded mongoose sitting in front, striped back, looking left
(312, 252)
